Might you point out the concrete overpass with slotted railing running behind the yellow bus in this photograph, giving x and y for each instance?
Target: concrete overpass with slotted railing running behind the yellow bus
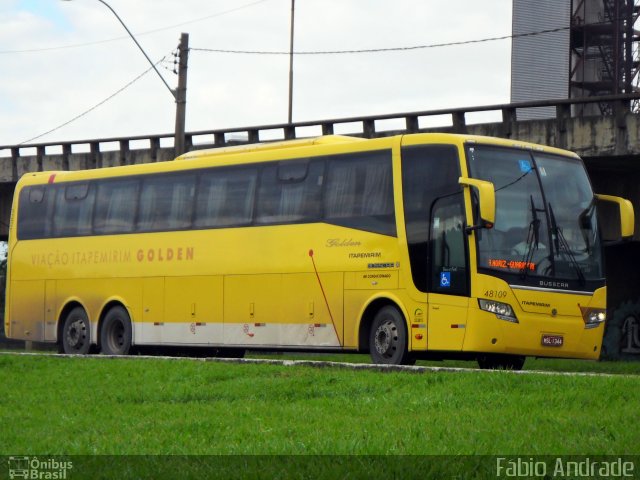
(608, 143)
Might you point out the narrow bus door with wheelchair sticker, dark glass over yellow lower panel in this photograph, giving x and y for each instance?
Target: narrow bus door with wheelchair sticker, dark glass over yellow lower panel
(449, 282)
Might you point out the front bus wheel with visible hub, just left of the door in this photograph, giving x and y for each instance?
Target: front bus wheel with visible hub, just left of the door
(388, 338)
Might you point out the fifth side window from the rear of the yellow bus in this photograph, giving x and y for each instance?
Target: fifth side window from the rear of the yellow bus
(226, 197)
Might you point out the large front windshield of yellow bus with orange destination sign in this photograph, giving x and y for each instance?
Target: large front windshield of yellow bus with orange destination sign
(546, 223)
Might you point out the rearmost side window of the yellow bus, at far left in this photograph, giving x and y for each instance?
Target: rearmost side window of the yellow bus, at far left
(35, 209)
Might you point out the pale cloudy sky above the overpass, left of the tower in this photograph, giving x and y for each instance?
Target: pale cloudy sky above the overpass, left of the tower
(61, 58)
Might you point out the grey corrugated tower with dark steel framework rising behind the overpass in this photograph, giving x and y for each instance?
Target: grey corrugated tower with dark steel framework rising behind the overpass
(575, 49)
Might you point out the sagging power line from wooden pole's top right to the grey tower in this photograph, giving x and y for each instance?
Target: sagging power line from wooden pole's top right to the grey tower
(381, 50)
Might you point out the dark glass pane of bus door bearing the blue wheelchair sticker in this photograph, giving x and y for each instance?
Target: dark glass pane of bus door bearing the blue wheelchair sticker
(448, 252)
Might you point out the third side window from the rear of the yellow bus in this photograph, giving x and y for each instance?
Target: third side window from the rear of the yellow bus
(116, 202)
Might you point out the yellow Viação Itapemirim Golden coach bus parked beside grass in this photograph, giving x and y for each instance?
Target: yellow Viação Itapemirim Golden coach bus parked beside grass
(406, 247)
